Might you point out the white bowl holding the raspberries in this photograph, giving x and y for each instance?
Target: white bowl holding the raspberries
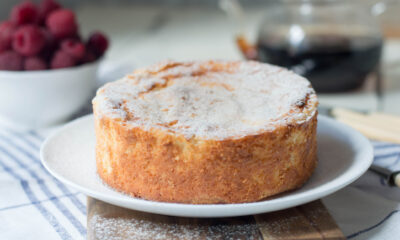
(33, 99)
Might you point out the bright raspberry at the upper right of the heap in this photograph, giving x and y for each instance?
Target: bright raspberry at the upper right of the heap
(62, 24)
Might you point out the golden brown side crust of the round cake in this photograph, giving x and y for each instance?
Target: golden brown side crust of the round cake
(156, 164)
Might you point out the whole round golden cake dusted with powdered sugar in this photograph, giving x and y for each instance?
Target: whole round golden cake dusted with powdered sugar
(206, 132)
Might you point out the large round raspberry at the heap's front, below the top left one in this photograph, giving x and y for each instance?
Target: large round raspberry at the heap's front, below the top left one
(28, 40)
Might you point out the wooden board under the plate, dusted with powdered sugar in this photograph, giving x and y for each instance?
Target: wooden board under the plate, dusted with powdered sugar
(309, 221)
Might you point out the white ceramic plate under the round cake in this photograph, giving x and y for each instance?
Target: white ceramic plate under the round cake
(344, 155)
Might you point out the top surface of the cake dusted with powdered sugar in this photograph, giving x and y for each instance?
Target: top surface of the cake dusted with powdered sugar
(208, 99)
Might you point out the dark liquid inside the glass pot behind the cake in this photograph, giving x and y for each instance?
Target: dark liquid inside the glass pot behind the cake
(332, 63)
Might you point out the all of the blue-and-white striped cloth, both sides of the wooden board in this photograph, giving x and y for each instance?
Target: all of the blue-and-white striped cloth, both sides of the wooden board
(34, 205)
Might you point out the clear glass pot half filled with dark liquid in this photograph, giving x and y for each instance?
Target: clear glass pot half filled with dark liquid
(334, 44)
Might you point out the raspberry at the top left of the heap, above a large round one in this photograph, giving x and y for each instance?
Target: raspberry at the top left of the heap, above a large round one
(23, 13)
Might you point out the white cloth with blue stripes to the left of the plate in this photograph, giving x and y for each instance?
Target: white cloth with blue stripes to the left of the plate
(33, 204)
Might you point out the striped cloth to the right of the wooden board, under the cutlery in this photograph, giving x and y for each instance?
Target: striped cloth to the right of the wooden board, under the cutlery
(368, 208)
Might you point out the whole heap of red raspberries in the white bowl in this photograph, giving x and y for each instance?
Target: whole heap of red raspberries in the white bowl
(45, 36)
